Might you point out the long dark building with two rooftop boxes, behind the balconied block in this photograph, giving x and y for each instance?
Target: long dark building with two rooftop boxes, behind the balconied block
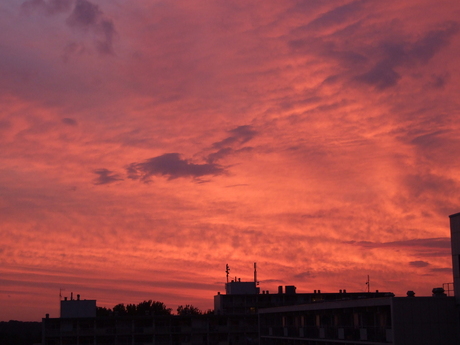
(235, 320)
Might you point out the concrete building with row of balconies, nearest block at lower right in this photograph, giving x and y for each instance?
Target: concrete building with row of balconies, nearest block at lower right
(386, 320)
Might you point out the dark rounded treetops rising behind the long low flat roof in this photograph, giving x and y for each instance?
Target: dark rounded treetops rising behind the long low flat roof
(149, 308)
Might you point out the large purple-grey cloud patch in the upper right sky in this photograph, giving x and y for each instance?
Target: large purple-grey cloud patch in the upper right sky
(384, 62)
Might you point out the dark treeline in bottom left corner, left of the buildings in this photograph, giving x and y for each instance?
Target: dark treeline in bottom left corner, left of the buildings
(20, 333)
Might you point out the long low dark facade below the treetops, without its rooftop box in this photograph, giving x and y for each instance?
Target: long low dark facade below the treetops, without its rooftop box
(151, 329)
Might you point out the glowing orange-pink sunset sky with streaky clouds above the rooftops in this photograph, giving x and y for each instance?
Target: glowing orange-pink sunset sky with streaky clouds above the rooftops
(145, 144)
